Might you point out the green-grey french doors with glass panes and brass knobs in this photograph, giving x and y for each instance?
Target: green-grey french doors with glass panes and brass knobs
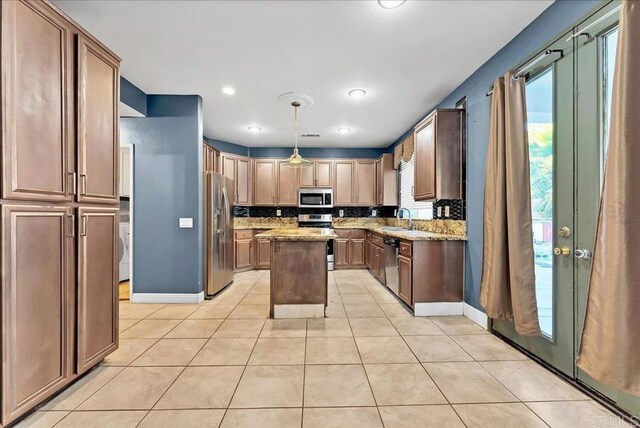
(568, 108)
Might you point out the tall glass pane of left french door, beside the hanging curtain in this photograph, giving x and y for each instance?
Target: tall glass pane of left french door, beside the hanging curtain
(540, 131)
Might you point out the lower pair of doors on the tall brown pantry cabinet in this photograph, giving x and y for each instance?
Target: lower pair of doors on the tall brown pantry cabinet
(47, 338)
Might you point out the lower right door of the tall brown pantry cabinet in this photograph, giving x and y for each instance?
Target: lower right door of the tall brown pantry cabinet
(98, 251)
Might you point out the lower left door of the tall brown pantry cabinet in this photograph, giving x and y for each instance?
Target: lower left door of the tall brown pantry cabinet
(37, 305)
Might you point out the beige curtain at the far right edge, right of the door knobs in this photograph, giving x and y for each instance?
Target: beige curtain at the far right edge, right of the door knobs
(610, 347)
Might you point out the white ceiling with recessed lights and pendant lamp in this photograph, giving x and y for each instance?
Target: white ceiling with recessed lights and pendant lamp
(407, 59)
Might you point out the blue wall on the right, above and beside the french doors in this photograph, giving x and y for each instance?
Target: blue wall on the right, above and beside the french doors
(559, 17)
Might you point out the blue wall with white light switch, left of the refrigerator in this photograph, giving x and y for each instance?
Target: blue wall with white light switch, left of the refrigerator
(167, 182)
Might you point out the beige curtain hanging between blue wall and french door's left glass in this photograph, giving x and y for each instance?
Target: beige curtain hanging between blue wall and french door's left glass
(508, 276)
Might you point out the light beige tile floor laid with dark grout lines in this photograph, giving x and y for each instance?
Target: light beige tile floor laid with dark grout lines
(369, 364)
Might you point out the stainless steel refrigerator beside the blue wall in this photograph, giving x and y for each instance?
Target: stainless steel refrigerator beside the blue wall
(218, 215)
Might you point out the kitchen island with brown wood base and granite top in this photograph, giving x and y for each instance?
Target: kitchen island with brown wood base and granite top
(299, 276)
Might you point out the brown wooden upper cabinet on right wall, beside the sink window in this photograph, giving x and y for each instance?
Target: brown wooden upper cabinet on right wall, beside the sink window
(438, 156)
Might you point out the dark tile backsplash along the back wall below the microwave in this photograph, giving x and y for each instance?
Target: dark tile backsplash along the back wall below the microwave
(294, 211)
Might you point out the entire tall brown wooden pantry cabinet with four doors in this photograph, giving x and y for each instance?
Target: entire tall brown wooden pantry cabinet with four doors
(58, 203)
